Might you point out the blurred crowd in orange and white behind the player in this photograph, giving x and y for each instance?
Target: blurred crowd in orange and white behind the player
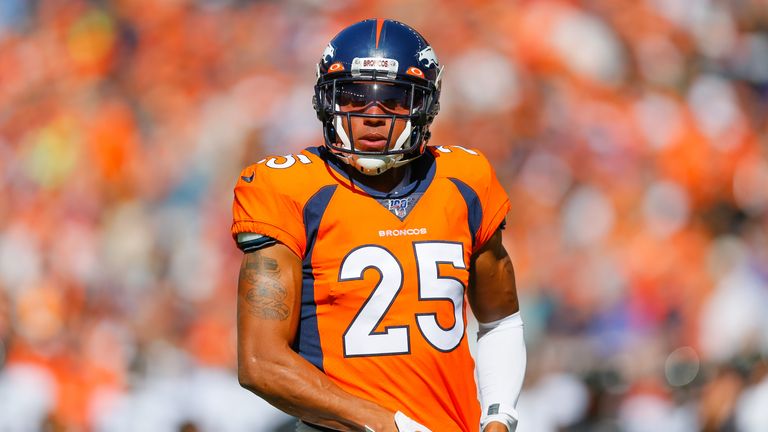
(631, 135)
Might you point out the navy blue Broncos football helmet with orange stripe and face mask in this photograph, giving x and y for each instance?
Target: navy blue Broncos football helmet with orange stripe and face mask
(387, 63)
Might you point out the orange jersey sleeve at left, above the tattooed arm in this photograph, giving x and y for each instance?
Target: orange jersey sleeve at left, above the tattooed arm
(261, 207)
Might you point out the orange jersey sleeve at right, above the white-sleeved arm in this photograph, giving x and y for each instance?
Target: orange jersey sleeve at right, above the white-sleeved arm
(494, 202)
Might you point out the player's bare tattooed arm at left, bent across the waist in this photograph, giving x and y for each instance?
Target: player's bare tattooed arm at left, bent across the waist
(269, 293)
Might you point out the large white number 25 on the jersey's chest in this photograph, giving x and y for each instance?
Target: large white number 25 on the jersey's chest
(361, 337)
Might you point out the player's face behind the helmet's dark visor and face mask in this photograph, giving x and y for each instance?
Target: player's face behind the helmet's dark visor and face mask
(371, 133)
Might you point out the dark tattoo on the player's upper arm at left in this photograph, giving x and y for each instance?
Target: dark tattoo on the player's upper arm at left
(267, 297)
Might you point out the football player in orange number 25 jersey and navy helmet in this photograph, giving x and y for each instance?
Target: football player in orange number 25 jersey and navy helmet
(359, 255)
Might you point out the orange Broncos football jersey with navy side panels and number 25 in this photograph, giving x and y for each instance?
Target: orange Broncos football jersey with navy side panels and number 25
(384, 274)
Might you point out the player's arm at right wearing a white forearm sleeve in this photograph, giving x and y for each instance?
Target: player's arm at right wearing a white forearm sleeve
(501, 349)
